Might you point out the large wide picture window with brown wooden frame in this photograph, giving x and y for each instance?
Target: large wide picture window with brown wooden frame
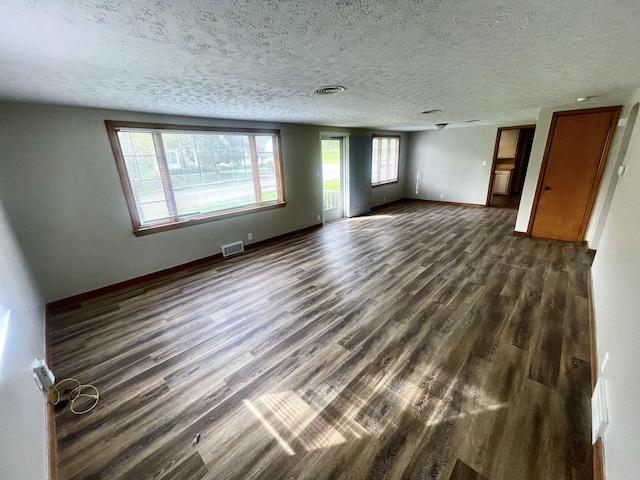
(179, 175)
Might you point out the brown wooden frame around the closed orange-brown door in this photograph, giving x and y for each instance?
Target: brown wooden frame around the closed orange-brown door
(601, 163)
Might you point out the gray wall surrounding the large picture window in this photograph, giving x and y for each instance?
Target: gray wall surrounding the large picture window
(63, 195)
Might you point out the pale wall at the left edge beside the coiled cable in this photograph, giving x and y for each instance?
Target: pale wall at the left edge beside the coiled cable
(22, 405)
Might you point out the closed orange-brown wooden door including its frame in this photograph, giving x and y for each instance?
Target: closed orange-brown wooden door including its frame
(571, 170)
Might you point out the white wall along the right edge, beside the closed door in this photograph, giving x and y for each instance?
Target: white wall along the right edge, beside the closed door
(616, 285)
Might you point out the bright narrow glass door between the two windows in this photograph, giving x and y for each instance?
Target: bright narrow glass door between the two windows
(333, 177)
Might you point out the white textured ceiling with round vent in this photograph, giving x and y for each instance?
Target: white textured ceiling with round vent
(498, 61)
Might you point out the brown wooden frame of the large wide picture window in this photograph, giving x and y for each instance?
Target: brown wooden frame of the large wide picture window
(139, 228)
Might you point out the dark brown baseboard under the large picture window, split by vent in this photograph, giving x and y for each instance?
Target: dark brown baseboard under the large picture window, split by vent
(137, 281)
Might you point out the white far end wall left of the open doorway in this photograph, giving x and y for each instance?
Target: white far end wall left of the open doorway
(446, 165)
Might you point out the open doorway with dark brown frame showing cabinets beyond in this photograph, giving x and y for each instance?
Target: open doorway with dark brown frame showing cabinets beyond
(510, 161)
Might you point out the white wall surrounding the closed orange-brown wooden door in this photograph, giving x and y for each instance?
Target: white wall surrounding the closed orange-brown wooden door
(535, 163)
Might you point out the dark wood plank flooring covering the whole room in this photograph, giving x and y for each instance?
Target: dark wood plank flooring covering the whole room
(422, 341)
